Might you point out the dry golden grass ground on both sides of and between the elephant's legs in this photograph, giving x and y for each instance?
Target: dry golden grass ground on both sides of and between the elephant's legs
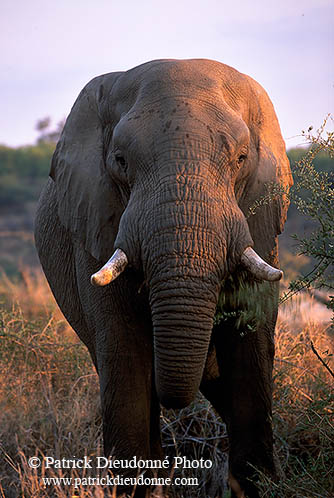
(50, 404)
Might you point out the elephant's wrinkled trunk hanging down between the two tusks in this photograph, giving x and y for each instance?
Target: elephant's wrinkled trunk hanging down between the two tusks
(184, 258)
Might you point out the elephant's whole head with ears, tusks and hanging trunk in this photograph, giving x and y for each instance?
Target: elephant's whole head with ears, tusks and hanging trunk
(161, 164)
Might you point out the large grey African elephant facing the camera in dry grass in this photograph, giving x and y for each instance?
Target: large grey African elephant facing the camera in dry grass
(161, 164)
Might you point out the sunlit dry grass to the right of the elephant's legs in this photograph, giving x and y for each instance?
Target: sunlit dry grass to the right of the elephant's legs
(303, 414)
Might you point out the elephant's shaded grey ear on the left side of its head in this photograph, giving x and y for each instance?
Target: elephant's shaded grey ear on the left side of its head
(89, 203)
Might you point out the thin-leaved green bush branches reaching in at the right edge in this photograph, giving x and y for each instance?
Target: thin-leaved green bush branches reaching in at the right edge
(313, 196)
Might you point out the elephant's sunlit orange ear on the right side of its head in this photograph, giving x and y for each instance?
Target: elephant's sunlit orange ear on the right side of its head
(270, 167)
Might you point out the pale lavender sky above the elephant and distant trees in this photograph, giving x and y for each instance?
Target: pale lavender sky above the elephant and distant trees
(51, 49)
